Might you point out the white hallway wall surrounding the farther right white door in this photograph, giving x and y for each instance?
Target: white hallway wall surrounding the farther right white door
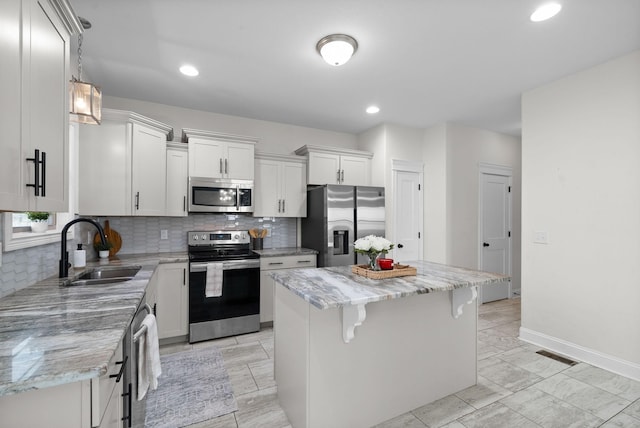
(452, 154)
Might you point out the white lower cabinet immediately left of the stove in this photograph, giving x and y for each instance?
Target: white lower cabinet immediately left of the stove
(172, 299)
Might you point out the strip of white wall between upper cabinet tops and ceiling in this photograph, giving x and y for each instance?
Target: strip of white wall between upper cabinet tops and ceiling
(273, 137)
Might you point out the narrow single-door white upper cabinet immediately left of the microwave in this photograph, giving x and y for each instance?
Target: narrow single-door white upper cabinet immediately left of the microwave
(177, 176)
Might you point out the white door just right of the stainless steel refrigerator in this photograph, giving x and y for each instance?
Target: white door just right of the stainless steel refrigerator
(407, 212)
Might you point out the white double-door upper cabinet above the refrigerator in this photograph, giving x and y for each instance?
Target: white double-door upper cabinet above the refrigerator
(331, 165)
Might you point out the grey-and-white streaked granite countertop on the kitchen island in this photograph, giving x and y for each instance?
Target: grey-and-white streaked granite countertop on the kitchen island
(333, 287)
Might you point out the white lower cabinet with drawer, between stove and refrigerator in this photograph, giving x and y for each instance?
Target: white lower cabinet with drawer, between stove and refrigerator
(269, 264)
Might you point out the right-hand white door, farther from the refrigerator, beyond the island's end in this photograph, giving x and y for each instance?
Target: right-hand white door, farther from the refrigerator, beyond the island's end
(495, 254)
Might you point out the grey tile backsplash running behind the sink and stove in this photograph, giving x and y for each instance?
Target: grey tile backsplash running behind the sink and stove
(140, 235)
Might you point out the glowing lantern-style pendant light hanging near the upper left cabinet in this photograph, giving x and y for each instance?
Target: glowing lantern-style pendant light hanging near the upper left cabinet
(85, 98)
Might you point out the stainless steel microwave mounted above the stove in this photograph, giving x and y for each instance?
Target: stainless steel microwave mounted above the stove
(220, 195)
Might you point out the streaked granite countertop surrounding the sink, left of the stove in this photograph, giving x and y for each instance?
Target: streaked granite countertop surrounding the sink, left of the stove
(51, 334)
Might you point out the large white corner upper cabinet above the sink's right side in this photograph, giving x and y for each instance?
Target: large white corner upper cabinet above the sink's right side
(123, 166)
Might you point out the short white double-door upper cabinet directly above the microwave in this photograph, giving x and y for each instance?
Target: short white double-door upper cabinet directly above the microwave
(213, 155)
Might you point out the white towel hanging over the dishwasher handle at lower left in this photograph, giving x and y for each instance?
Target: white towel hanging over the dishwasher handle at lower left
(148, 357)
